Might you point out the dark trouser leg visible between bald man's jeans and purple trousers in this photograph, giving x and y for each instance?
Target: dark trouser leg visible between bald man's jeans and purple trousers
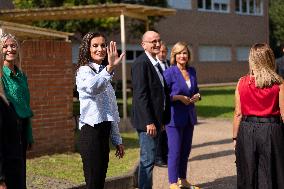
(162, 147)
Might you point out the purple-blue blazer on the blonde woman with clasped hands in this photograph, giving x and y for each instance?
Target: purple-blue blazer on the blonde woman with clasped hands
(181, 115)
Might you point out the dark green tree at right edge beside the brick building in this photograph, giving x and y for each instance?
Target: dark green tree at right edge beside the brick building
(276, 19)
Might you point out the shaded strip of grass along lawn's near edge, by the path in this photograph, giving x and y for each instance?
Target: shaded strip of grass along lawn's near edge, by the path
(212, 111)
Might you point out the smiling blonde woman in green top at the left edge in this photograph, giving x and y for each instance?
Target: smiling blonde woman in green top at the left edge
(16, 89)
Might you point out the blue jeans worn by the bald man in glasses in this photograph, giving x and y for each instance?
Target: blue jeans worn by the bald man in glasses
(147, 159)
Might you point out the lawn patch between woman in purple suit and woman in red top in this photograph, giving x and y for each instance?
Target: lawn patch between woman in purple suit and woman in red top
(217, 102)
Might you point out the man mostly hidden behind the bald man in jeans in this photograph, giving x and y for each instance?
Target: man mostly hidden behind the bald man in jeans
(162, 143)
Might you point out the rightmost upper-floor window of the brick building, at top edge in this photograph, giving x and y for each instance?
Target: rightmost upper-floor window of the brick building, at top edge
(251, 7)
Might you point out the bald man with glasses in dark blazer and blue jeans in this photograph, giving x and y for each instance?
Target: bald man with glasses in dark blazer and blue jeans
(150, 104)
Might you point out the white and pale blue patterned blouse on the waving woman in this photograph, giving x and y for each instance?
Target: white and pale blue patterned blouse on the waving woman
(97, 99)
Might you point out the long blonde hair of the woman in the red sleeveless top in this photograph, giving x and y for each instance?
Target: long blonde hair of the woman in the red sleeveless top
(262, 66)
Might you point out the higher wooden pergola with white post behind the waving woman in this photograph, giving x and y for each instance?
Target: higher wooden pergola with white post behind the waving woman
(121, 10)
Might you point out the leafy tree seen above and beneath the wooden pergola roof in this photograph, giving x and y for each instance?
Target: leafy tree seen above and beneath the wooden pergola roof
(106, 25)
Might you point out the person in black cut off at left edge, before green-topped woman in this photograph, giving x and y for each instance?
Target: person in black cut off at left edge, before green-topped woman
(12, 167)
